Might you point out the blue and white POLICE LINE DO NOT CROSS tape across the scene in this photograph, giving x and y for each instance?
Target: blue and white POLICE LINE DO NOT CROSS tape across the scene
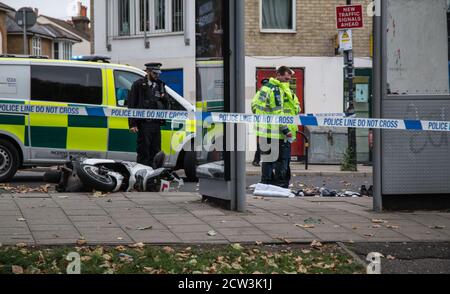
(319, 120)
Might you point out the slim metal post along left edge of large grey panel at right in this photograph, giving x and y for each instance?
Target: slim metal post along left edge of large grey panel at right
(377, 86)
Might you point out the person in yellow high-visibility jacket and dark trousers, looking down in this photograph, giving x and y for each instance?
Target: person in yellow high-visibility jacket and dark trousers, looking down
(275, 140)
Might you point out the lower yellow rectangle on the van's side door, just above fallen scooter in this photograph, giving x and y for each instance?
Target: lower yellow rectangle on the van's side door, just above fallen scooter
(87, 139)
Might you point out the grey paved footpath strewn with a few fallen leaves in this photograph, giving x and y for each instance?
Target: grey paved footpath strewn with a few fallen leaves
(181, 218)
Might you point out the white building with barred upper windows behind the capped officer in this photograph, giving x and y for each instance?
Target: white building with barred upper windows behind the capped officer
(136, 32)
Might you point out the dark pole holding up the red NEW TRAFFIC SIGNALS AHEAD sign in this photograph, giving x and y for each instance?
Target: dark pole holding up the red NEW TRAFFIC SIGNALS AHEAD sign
(351, 108)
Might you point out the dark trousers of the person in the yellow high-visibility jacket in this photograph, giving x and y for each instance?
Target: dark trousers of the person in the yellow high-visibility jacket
(278, 173)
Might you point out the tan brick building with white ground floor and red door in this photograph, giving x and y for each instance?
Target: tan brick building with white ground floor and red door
(301, 34)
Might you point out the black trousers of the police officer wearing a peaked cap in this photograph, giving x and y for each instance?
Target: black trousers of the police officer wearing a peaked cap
(148, 143)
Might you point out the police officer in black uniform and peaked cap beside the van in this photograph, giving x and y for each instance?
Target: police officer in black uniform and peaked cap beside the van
(148, 93)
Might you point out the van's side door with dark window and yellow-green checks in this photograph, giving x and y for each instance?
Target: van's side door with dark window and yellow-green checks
(54, 138)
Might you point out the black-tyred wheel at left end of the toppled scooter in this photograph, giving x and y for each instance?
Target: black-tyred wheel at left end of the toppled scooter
(93, 178)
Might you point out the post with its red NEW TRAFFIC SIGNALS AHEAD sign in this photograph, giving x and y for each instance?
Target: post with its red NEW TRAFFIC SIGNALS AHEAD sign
(349, 17)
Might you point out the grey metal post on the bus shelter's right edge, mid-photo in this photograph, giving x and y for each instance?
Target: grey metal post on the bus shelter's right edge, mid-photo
(240, 103)
